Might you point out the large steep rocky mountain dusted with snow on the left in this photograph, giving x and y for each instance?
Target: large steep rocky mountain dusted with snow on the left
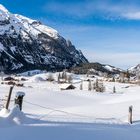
(26, 44)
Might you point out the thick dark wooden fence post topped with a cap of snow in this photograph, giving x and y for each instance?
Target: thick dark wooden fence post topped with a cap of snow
(19, 99)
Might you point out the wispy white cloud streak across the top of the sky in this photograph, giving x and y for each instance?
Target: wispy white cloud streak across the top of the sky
(105, 9)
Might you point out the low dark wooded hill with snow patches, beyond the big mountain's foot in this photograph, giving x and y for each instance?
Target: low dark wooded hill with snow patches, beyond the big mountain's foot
(96, 68)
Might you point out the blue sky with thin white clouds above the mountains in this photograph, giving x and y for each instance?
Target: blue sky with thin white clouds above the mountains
(107, 31)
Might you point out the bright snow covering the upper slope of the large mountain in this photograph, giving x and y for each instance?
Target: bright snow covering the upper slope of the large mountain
(23, 25)
